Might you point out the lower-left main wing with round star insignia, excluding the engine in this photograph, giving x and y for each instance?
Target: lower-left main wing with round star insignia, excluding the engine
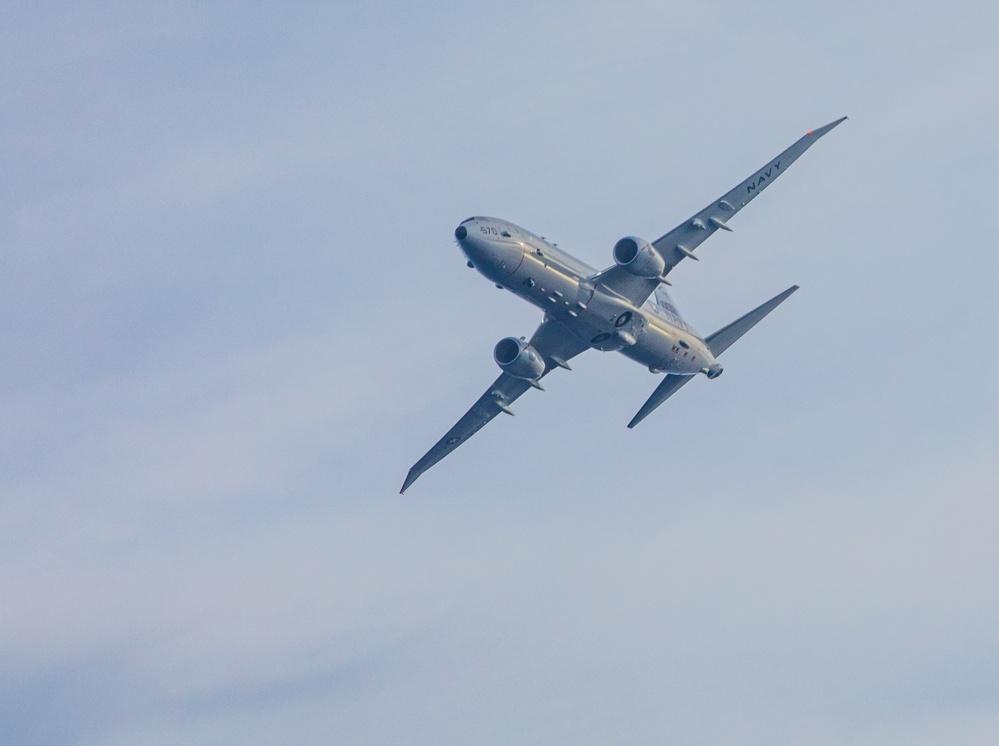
(554, 342)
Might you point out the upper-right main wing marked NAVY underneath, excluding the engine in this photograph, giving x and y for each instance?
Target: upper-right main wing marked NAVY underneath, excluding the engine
(680, 242)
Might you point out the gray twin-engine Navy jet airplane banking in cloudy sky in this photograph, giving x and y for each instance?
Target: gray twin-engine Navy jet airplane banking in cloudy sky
(624, 308)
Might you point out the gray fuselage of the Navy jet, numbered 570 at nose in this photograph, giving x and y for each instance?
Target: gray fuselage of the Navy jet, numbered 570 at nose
(565, 289)
